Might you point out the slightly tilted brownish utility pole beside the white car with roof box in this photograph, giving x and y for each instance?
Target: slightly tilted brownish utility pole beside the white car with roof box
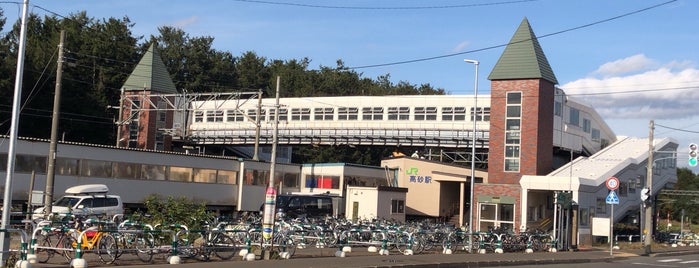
(51, 170)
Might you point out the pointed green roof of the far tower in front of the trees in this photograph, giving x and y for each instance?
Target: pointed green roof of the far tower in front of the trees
(150, 74)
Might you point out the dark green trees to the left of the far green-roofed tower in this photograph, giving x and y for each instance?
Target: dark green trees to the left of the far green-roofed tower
(97, 59)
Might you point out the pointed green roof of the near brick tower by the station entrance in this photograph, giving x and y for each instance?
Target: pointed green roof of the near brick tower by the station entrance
(523, 58)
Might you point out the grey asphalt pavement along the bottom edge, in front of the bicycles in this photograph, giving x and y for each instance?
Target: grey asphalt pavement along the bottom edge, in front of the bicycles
(360, 258)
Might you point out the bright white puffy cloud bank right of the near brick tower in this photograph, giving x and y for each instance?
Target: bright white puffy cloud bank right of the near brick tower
(670, 91)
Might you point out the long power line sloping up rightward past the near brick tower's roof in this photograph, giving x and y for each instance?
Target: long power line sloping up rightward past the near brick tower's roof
(503, 45)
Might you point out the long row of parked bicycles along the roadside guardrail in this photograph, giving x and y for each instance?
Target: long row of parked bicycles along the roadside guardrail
(107, 243)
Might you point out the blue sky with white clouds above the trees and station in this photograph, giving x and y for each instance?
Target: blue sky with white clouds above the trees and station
(633, 61)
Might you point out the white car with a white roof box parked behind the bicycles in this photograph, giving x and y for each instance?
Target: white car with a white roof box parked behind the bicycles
(88, 199)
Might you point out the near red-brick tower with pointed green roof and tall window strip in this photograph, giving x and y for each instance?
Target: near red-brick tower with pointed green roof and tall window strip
(521, 128)
